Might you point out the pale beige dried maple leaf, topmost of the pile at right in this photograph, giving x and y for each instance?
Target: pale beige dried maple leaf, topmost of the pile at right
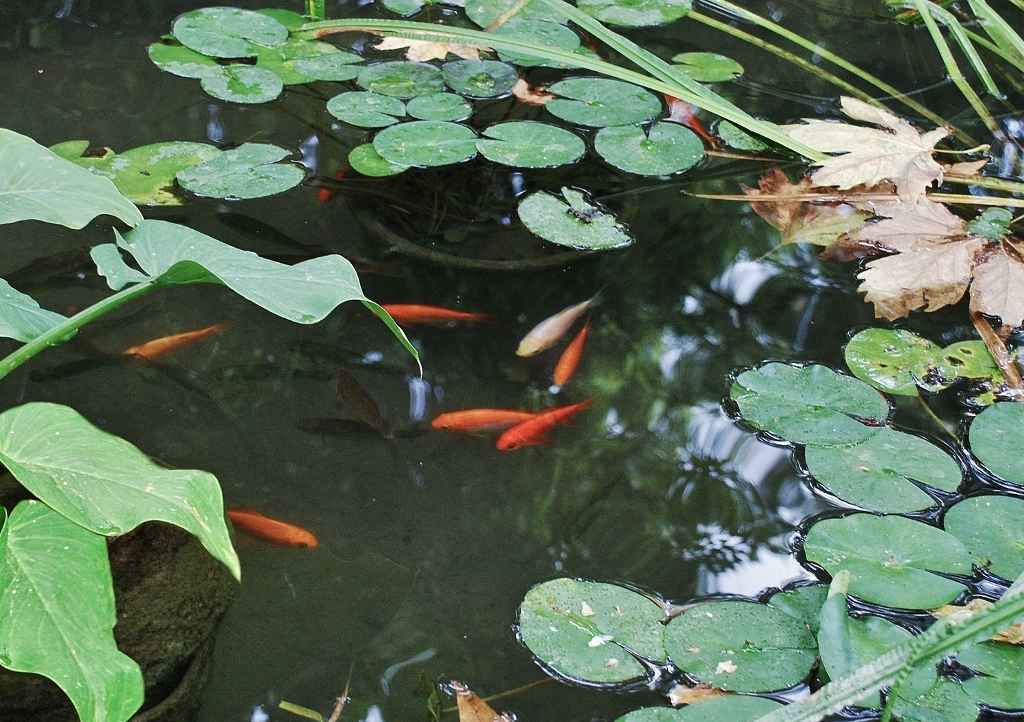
(899, 152)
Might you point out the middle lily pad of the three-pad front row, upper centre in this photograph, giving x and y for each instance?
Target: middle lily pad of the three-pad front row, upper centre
(531, 145)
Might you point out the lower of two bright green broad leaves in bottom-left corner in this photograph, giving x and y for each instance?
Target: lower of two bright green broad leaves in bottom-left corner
(58, 615)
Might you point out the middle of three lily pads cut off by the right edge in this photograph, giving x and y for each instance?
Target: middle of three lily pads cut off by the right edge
(993, 530)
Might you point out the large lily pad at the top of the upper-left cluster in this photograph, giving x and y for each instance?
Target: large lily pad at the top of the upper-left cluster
(226, 32)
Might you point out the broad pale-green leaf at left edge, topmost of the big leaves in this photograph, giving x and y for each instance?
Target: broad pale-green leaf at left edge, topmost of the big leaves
(38, 185)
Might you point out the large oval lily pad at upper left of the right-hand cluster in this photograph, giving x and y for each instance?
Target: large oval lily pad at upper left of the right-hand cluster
(810, 405)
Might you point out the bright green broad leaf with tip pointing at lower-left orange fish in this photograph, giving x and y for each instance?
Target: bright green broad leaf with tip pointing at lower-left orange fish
(106, 485)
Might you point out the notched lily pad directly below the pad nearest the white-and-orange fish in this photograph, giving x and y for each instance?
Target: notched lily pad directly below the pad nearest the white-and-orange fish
(875, 475)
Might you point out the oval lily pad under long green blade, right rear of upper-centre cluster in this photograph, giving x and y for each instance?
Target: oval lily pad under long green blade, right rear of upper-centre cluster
(603, 102)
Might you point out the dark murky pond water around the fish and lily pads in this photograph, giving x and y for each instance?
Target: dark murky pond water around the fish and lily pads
(429, 544)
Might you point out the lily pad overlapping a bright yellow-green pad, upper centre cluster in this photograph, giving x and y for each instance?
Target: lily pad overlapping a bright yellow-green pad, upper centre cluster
(426, 144)
